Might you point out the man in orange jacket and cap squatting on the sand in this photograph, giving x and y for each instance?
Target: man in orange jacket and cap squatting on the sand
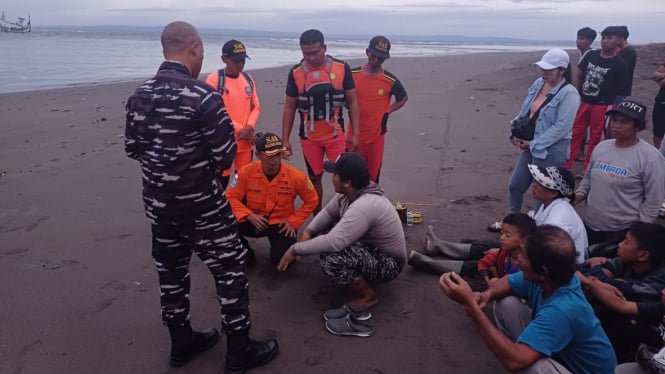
(263, 198)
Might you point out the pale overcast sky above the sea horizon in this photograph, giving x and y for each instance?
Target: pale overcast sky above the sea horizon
(530, 19)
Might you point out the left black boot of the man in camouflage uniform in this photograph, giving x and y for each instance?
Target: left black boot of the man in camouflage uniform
(186, 344)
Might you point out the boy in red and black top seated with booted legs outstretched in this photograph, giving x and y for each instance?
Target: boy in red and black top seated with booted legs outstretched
(470, 259)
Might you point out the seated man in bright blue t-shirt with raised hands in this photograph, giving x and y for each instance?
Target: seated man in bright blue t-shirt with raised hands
(556, 330)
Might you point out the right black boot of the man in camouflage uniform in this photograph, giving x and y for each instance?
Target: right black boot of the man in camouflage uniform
(244, 353)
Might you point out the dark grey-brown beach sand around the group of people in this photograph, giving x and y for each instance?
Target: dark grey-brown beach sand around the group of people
(78, 285)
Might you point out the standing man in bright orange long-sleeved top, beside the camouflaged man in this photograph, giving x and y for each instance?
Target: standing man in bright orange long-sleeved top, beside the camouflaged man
(241, 100)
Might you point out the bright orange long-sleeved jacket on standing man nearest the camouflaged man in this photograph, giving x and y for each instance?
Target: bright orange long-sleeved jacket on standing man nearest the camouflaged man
(241, 102)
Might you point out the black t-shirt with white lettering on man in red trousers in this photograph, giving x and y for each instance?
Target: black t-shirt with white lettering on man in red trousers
(602, 79)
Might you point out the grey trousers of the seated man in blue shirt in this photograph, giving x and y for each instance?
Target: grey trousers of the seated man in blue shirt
(511, 316)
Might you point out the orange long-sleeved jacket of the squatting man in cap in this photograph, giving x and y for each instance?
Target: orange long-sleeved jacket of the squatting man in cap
(253, 193)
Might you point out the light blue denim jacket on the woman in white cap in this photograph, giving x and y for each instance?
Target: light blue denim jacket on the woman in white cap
(555, 122)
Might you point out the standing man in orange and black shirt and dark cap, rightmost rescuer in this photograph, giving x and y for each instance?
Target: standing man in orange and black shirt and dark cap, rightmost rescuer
(375, 88)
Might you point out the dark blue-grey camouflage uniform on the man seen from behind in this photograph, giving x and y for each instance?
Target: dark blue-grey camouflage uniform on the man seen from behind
(179, 131)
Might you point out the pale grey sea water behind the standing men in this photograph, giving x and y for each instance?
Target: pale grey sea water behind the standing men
(55, 58)
